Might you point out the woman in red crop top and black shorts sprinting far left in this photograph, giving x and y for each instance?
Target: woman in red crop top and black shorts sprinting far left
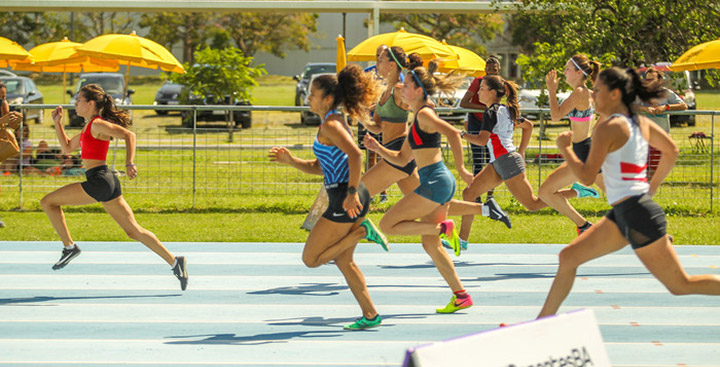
(104, 122)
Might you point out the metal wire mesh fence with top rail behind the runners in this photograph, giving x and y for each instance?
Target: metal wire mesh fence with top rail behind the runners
(202, 166)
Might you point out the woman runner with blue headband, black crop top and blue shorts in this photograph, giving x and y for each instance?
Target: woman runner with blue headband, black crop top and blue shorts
(424, 211)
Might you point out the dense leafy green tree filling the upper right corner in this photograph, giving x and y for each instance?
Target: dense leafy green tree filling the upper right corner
(634, 32)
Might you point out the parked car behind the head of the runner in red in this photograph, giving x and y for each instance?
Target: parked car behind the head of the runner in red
(112, 83)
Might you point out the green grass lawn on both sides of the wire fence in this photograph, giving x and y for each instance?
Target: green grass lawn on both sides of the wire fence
(227, 216)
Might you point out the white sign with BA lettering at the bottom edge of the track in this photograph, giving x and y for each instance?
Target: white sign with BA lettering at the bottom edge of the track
(567, 340)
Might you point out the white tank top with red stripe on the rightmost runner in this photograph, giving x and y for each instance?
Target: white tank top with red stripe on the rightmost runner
(625, 170)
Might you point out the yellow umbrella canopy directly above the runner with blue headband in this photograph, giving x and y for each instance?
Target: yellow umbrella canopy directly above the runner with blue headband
(427, 47)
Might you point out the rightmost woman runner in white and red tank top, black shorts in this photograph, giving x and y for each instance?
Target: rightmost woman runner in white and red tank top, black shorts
(620, 147)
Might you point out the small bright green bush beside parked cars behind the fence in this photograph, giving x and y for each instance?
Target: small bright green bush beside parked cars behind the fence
(219, 73)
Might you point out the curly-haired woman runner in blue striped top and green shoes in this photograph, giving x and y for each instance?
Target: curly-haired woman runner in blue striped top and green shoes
(339, 160)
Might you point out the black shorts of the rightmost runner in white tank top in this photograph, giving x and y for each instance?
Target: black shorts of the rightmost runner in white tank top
(640, 220)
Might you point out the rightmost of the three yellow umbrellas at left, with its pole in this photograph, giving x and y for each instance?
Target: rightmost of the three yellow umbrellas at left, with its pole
(131, 50)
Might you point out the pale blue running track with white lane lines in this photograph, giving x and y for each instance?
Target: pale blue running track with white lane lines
(255, 304)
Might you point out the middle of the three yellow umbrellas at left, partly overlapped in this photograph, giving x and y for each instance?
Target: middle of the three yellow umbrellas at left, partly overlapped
(62, 57)
